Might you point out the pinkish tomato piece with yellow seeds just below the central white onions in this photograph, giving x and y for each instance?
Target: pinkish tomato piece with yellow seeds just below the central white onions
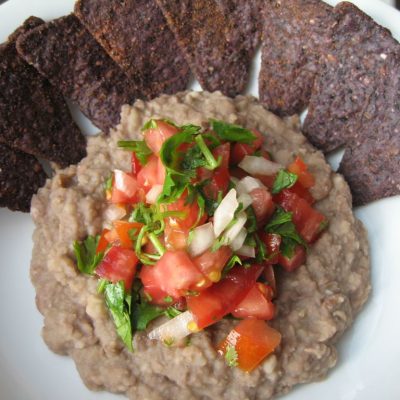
(211, 263)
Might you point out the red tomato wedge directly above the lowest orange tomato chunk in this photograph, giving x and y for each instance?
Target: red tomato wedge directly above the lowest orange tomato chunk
(256, 304)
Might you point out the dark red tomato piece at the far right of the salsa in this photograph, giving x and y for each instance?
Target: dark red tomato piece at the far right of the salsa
(309, 222)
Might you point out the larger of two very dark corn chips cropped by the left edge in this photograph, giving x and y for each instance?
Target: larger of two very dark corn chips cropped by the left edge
(34, 116)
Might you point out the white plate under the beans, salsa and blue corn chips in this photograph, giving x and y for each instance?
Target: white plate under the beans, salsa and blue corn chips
(369, 353)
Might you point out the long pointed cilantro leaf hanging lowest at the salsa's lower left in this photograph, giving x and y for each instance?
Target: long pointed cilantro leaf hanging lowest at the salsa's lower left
(119, 304)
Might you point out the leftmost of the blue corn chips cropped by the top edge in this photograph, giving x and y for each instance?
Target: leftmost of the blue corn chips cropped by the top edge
(135, 34)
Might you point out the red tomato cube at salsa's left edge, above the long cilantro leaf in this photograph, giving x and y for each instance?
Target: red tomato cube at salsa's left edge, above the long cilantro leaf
(119, 264)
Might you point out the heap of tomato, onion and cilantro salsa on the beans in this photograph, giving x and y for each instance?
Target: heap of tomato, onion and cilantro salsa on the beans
(194, 231)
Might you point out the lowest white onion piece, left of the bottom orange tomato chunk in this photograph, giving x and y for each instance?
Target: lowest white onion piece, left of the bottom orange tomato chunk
(173, 330)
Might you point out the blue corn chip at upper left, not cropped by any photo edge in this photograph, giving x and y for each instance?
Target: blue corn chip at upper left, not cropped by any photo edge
(65, 53)
